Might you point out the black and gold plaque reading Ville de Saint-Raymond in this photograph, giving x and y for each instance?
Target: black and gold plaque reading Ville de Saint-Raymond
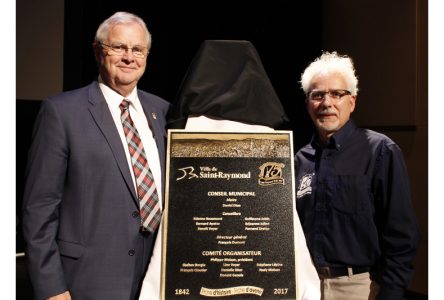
(229, 216)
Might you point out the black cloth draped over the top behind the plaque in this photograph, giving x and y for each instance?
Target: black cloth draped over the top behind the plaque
(226, 80)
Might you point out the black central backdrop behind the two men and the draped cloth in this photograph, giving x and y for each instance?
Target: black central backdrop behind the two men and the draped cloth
(286, 35)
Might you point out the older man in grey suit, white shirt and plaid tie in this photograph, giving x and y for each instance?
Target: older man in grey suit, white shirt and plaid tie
(93, 196)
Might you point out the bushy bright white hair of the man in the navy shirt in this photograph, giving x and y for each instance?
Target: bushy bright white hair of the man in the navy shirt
(331, 63)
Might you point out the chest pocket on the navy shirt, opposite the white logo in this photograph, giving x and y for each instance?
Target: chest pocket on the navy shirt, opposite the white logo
(349, 194)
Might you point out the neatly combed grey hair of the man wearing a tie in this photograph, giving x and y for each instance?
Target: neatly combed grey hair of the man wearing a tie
(120, 18)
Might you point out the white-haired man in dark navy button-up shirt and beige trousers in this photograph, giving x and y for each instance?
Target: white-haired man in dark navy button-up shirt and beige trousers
(353, 194)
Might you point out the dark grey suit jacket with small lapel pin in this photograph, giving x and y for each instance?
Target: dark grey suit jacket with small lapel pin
(80, 218)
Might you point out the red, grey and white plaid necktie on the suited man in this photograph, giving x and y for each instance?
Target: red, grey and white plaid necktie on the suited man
(150, 211)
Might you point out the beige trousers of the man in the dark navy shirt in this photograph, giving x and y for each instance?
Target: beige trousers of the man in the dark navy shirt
(356, 287)
